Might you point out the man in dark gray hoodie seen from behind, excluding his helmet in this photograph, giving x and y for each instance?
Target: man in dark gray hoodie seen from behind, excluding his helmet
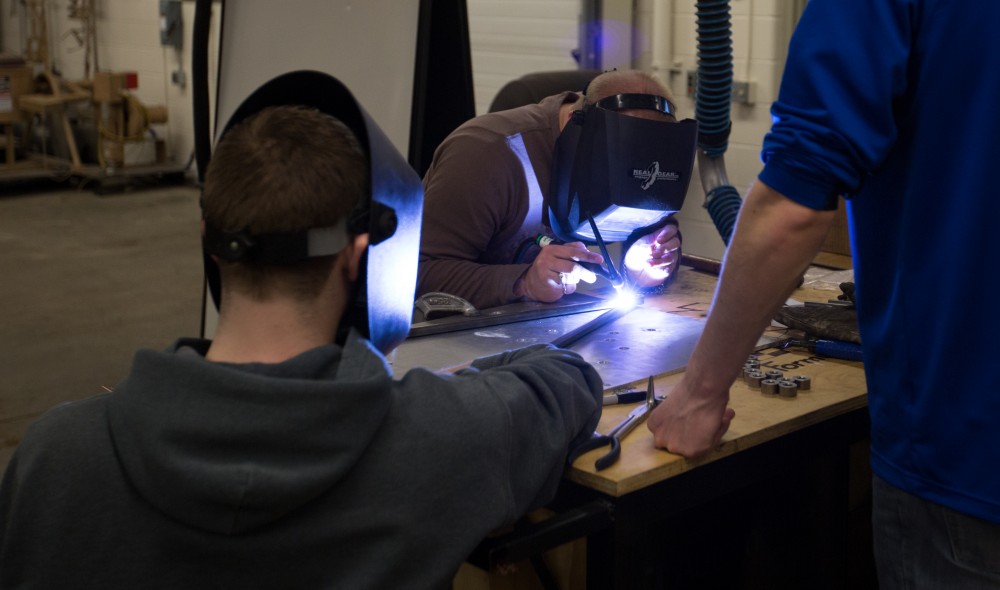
(278, 454)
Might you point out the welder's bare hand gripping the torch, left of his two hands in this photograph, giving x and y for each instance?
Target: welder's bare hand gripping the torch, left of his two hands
(555, 272)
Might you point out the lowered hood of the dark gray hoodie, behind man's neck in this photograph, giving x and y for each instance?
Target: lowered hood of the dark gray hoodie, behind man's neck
(229, 472)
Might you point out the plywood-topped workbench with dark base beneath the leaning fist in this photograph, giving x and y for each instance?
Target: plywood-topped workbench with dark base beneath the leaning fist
(784, 503)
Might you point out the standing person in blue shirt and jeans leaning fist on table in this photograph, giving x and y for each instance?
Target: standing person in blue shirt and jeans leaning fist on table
(891, 104)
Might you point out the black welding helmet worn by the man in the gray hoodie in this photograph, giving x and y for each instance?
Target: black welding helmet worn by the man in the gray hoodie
(382, 302)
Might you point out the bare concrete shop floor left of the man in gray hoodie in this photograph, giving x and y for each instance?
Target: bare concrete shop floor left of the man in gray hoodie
(85, 280)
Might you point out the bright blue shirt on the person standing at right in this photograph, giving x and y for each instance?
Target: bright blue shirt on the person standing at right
(894, 104)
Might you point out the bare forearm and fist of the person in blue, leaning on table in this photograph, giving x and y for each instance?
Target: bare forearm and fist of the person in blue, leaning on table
(775, 239)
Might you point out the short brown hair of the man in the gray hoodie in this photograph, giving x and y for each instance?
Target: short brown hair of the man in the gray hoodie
(284, 169)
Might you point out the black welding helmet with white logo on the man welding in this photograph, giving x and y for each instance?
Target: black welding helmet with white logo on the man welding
(623, 172)
